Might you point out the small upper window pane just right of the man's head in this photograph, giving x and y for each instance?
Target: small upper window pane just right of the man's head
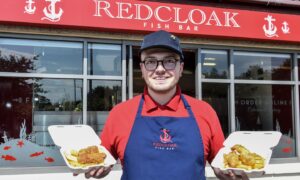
(214, 64)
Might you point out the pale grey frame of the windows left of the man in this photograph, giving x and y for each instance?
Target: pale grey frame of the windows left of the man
(85, 77)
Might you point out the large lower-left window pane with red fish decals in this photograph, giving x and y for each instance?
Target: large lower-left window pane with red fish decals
(28, 107)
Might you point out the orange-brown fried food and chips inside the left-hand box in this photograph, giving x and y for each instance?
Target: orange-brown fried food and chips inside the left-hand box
(85, 157)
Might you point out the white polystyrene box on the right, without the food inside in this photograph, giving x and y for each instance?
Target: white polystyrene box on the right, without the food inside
(259, 142)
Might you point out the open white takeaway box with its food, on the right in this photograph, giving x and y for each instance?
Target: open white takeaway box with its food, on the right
(248, 151)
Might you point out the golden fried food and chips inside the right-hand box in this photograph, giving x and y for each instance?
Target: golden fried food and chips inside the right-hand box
(241, 157)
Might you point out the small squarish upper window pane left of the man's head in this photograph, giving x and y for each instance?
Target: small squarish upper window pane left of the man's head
(104, 59)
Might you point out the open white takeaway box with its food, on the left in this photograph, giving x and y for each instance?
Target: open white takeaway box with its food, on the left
(76, 139)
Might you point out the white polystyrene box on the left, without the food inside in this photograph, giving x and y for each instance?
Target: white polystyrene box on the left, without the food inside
(75, 137)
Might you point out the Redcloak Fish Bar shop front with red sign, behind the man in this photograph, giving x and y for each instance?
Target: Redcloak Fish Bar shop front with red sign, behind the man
(70, 62)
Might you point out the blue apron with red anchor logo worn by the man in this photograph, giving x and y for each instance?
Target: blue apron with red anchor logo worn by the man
(164, 148)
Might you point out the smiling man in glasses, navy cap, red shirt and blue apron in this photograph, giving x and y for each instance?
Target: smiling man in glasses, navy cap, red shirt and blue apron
(162, 134)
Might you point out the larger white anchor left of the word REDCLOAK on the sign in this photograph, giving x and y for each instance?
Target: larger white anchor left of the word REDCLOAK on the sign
(50, 12)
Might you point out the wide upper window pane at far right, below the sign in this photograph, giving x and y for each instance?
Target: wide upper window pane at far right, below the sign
(262, 66)
